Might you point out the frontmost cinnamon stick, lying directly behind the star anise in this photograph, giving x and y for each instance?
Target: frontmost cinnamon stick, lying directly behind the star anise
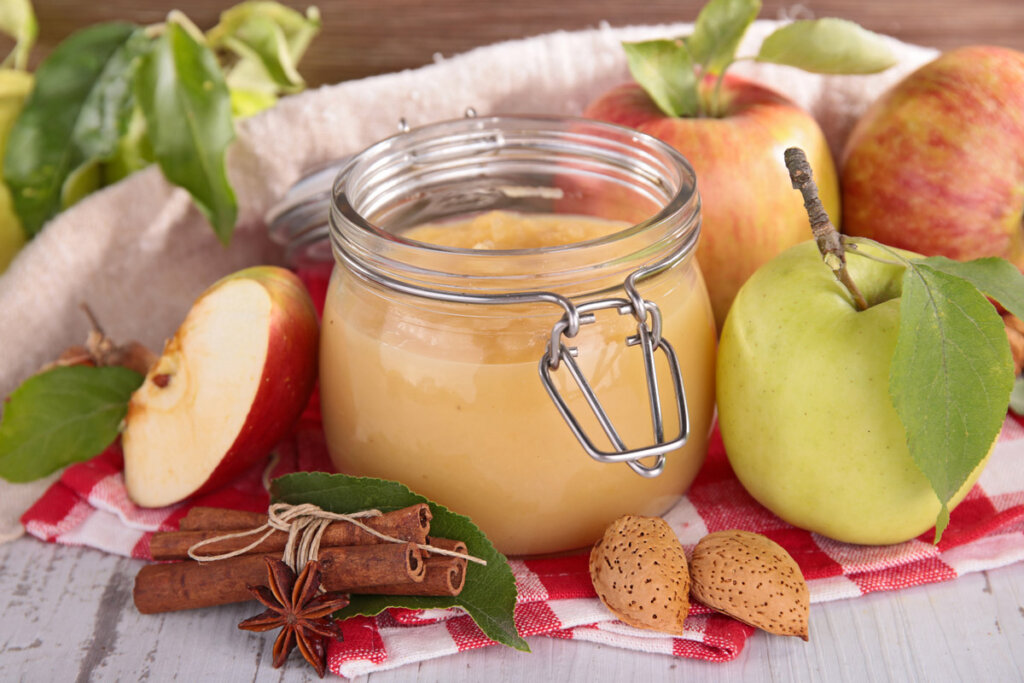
(163, 588)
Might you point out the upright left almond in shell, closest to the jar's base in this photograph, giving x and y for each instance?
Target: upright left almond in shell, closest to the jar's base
(639, 572)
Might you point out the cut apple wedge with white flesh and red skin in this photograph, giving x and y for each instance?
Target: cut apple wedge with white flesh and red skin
(229, 386)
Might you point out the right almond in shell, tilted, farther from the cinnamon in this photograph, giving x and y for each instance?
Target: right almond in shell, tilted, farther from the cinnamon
(752, 579)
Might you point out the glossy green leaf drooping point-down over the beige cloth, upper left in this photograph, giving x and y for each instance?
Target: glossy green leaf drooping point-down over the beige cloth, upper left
(188, 112)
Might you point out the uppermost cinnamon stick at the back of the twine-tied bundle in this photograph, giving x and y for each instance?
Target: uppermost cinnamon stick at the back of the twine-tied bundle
(410, 524)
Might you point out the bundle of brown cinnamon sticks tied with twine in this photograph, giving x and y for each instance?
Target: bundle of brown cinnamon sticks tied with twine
(352, 560)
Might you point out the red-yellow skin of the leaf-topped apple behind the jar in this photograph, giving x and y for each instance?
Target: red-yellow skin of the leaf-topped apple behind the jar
(749, 210)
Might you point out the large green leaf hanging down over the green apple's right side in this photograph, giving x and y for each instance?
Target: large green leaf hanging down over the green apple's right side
(951, 378)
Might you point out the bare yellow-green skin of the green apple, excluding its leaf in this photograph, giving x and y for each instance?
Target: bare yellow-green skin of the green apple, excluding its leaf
(804, 407)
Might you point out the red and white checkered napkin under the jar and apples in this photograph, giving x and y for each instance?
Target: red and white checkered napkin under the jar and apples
(89, 507)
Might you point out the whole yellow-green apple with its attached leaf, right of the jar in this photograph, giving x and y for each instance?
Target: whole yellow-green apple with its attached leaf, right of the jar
(866, 423)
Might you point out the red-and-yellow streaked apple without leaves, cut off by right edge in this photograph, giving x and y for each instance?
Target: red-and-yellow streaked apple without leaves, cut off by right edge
(936, 165)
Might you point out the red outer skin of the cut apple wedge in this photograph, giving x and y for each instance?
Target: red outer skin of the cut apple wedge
(287, 380)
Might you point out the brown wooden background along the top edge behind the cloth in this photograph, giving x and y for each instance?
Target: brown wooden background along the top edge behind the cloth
(366, 37)
